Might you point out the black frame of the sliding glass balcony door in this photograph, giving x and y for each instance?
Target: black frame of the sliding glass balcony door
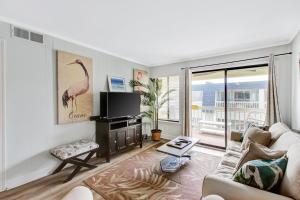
(225, 95)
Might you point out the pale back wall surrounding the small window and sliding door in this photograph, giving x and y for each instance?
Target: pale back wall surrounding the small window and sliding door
(283, 63)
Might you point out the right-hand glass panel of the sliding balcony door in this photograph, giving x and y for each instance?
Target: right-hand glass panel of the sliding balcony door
(249, 87)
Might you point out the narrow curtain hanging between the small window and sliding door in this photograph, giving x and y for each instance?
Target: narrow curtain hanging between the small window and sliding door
(187, 102)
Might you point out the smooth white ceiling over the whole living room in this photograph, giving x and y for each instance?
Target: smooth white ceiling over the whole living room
(156, 32)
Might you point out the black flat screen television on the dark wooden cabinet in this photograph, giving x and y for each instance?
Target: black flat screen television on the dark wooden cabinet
(119, 104)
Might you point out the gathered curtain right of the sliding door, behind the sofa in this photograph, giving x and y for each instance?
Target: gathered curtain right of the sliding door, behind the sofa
(273, 112)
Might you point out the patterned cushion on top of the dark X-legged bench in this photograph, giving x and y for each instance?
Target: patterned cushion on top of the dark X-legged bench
(66, 151)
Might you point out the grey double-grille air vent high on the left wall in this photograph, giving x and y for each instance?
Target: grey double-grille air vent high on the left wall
(27, 35)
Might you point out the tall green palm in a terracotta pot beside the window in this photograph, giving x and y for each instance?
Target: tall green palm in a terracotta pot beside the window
(153, 99)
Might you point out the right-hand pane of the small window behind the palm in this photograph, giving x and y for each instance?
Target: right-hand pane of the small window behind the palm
(174, 98)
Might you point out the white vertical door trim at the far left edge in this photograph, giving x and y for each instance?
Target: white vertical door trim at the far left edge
(2, 115)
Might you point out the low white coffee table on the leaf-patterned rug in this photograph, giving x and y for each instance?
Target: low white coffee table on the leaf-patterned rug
(178, 157)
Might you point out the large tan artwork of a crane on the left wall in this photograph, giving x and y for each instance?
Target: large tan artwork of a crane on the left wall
(74, 87)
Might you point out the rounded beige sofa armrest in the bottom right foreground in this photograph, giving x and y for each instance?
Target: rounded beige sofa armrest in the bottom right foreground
(230, 190)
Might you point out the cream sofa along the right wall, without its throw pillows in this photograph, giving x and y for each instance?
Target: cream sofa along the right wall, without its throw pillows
(221, 182)
